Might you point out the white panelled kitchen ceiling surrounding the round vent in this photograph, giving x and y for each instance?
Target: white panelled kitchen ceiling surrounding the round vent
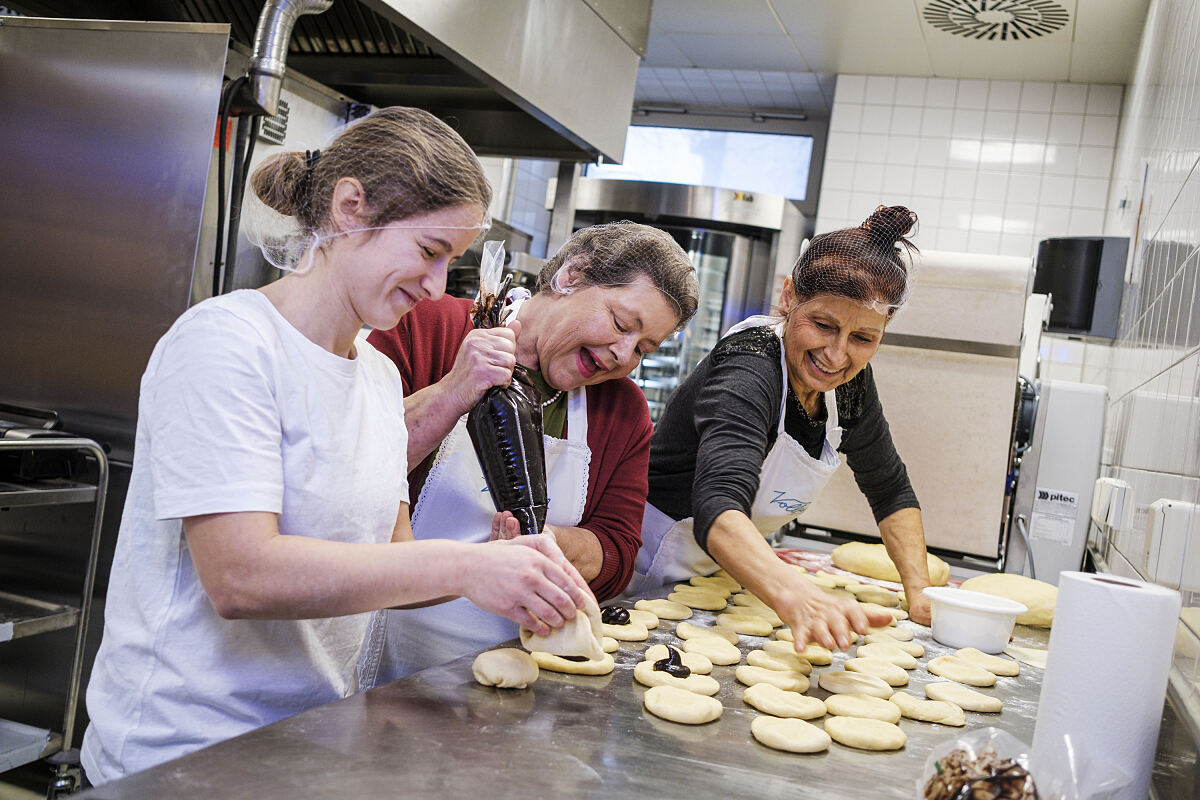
(783, 53)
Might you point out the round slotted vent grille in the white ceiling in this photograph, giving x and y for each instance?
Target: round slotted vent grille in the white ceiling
(997, 20)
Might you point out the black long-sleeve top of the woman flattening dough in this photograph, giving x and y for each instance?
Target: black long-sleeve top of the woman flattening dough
(719, 425)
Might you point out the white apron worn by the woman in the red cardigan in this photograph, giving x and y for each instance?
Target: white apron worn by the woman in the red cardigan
(455, 504)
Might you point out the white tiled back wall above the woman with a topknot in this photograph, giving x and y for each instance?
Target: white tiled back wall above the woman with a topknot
(989, 166)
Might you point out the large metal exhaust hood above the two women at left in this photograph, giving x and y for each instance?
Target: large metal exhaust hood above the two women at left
(535, 79)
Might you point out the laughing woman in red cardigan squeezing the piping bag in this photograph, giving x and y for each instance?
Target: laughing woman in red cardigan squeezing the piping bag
(613, 294)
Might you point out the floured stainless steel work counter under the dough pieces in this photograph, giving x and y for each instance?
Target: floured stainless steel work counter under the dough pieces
(439, 735)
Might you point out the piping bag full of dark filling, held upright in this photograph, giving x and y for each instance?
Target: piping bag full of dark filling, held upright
(506, 425)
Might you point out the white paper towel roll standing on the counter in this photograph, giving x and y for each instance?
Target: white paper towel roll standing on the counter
(1105, 685)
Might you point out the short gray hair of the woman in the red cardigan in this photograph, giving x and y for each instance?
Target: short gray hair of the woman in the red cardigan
(617, 254)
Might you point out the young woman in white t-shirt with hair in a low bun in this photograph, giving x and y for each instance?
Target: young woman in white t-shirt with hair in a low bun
(267, 512)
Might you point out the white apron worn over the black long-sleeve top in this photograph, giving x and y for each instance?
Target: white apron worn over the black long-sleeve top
(789, 482)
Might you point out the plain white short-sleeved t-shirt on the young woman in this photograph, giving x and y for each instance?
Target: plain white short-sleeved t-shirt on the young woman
(239, 412)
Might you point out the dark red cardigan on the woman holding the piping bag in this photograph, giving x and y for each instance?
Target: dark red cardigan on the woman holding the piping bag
(424, 347)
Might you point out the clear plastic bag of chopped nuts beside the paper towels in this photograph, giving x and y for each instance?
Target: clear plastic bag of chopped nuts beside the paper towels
(988, 765)
